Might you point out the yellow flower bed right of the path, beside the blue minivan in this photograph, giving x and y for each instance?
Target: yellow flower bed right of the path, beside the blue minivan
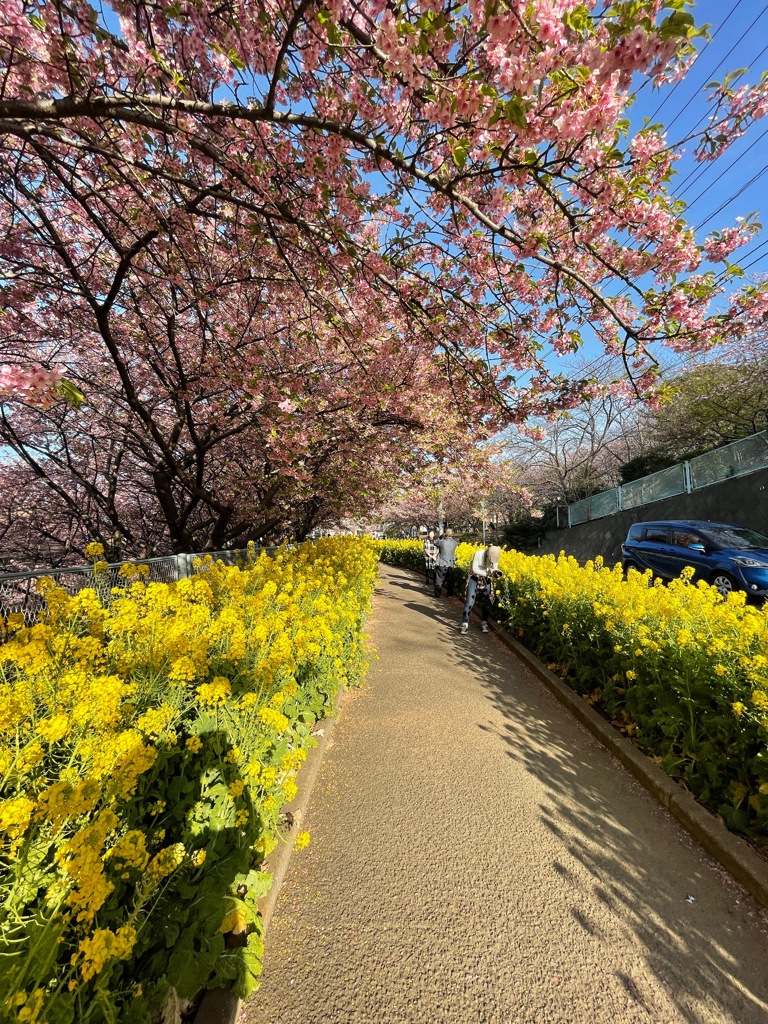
(677, 667)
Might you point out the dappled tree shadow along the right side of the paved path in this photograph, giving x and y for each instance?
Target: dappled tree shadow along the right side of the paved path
(614, 835)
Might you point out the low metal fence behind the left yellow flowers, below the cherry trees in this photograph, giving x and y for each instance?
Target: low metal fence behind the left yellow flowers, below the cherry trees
(19, 591)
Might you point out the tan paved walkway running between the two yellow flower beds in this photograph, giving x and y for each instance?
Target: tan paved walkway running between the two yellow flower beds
(478, 859)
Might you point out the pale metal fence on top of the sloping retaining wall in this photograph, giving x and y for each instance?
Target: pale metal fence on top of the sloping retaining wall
(738, 459)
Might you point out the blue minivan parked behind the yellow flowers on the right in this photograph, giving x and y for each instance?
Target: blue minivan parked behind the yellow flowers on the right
(728, 557)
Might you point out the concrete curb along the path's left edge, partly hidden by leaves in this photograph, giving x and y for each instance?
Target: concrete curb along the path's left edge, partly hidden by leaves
(221, 1006)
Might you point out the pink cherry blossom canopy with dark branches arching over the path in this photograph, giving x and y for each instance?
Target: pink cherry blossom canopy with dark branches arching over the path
(390, 219)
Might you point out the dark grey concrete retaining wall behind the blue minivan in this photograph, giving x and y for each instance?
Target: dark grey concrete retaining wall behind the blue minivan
(743, 500)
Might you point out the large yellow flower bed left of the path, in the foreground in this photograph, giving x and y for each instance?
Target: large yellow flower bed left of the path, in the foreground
(149, 738)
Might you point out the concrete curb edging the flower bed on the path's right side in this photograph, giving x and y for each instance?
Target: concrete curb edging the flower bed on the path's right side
(734, 854)
